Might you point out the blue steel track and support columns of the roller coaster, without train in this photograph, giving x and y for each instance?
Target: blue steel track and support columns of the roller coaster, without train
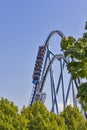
(47, 68)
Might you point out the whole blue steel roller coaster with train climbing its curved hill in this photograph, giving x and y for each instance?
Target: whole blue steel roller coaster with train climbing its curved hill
(61, 87)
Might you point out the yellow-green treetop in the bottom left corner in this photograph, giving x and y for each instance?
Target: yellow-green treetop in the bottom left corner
(10, 118)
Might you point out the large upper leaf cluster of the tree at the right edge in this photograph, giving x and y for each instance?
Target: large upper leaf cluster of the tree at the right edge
(77, 50)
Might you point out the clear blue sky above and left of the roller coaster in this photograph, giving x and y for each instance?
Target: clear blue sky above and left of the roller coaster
(24, 25)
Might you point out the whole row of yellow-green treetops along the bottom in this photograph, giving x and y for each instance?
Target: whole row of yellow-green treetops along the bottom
(37, 117)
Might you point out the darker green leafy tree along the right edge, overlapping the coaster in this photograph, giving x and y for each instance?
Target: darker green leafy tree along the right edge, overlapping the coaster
(77, 51)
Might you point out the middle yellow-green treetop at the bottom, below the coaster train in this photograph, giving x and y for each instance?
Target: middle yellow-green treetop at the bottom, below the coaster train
(41, 119)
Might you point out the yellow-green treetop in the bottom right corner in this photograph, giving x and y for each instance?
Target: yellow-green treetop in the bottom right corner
(74, 119)
